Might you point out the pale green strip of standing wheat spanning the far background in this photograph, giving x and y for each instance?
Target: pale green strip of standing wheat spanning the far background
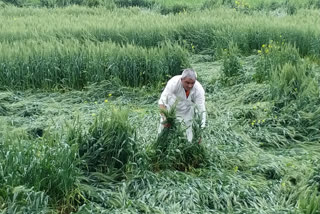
(209, 33)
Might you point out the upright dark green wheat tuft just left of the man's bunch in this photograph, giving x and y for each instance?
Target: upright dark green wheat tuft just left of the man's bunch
(110, 143)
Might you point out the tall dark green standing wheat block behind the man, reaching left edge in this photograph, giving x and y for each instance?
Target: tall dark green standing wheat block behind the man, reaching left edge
(71, 64)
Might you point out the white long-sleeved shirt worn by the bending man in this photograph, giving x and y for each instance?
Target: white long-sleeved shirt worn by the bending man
(174, 91)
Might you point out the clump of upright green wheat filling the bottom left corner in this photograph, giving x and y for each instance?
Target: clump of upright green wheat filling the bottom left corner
(37, 173)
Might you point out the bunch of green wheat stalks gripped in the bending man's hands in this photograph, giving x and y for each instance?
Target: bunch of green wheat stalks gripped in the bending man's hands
(172, 150)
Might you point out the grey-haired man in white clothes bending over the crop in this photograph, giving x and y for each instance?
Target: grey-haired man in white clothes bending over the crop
(188, 92)
